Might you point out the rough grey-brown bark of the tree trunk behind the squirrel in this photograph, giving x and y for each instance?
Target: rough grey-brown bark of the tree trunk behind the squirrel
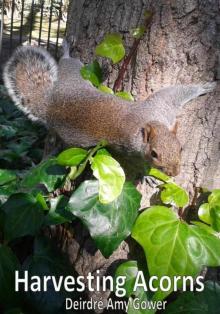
(182, 45)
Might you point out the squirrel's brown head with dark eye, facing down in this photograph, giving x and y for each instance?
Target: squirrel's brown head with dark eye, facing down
(162, 148)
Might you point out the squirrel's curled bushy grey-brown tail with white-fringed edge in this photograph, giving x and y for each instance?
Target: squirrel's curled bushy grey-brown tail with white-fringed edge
(29, 76)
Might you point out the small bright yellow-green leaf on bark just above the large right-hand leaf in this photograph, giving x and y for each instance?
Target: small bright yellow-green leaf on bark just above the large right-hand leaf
(174, 195)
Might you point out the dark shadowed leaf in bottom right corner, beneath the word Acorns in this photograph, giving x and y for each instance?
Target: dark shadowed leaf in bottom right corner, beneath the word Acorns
(204, 302)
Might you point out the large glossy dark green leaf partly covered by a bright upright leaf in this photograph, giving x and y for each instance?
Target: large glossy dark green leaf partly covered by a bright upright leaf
(108, 224)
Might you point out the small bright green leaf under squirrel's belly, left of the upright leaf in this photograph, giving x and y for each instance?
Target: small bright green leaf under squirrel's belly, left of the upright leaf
(72, 157)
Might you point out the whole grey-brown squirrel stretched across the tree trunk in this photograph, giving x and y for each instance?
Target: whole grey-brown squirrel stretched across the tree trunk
(57, 95)
